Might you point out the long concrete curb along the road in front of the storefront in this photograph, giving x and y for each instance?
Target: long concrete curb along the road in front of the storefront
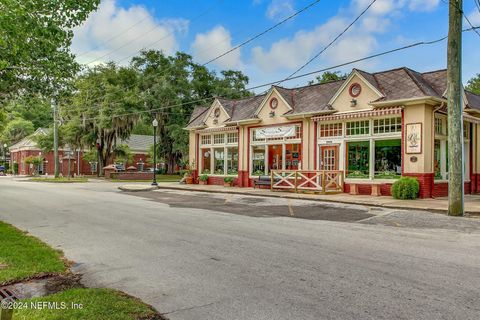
(287, 196)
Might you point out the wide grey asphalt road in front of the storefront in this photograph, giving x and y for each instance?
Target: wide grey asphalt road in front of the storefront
(251, 258)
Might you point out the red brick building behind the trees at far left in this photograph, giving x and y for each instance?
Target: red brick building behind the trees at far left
(69, 159)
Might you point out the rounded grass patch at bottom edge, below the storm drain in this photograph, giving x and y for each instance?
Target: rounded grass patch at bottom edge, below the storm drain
(99, 304)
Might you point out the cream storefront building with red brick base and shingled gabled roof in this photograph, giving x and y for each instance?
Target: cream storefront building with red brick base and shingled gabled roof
(371, 128)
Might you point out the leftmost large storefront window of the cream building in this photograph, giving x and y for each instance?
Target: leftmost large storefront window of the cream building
(221, 158)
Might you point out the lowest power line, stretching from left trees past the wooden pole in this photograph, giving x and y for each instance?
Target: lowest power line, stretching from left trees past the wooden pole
(204, 100)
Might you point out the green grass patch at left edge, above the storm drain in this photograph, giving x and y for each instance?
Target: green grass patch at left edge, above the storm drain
(24, 256)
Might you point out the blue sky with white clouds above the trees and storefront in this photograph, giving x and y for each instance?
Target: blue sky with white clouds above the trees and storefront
(205, 29)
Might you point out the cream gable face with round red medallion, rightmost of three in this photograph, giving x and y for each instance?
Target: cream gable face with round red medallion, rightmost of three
(342, 102)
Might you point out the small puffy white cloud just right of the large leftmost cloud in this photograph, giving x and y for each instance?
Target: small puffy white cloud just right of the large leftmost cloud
(213, 43)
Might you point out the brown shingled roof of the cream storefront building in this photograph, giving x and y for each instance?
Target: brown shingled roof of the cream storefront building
(392, 85)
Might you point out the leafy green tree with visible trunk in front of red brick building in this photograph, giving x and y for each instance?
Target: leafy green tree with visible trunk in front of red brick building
(103, 109)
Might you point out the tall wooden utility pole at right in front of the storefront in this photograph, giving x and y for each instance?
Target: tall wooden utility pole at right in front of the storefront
(455, 110)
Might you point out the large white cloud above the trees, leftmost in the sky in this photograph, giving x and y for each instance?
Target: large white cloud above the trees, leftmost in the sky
(121, 32)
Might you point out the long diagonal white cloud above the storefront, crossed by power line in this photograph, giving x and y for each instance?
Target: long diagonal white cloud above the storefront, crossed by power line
(359, 41)
